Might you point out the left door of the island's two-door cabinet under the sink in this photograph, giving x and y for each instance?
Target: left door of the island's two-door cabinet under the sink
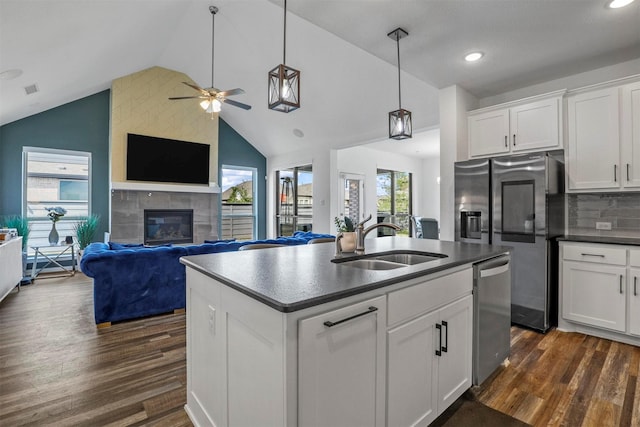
(412, 373)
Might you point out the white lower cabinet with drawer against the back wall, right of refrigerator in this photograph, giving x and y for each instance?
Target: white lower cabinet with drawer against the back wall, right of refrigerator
(600, 290)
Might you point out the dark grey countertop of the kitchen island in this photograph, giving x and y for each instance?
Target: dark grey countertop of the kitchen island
(292, 278)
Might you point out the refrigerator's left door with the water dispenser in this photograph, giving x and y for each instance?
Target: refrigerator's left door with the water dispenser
(472, 188)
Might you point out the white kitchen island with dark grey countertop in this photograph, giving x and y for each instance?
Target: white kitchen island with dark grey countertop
(286, 337)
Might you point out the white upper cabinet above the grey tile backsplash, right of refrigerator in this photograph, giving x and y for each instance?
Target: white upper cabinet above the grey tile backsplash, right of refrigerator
(604, 139)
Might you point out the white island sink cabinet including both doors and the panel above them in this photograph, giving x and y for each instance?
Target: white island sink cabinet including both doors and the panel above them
(429, 357)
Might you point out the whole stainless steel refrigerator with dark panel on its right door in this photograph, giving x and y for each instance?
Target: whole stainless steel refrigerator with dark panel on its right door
(518, 201)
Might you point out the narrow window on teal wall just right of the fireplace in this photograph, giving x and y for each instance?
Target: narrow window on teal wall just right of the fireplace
(238, 217)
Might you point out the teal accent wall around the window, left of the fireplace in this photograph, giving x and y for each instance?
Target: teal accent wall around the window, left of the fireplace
(81, 125)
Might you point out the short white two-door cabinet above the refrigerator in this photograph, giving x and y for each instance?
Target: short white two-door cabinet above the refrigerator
(531, 126)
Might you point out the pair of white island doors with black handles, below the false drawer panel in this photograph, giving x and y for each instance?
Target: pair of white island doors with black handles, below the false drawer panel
(429, 364)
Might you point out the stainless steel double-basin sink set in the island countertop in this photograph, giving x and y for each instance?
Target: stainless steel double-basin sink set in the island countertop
(389, 260)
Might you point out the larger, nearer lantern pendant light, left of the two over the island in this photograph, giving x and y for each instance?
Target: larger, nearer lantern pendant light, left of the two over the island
(284, 81)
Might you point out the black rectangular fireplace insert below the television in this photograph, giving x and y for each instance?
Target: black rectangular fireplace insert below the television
(168, 226)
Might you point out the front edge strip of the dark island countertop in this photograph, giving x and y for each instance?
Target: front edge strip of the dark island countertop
(289, 308)
